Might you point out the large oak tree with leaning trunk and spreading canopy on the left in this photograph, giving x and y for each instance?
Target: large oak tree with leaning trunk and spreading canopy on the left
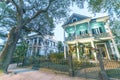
(22, 16)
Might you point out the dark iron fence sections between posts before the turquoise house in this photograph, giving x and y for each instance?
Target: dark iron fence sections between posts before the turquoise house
(83, 68)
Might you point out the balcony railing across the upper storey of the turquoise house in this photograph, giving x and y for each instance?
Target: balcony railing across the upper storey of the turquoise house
(96, 36)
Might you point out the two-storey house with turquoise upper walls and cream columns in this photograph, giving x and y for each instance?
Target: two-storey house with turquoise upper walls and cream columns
(94, 33)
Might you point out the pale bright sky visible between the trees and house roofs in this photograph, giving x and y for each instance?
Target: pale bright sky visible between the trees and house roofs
(59, 32)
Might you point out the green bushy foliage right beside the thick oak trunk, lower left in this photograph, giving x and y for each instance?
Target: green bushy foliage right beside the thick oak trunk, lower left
(20, 52)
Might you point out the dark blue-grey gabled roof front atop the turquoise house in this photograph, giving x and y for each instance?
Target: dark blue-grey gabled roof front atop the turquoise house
(74, 15)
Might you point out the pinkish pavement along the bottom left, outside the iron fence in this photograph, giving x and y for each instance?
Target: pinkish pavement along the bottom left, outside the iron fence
(42, 74)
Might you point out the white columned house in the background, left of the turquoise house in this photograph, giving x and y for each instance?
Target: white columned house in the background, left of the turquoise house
(38, 45)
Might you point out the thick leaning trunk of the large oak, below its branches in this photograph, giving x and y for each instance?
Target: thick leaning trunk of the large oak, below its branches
(6, 55)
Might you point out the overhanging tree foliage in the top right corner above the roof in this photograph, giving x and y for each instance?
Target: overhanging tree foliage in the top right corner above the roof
(110, 6)
